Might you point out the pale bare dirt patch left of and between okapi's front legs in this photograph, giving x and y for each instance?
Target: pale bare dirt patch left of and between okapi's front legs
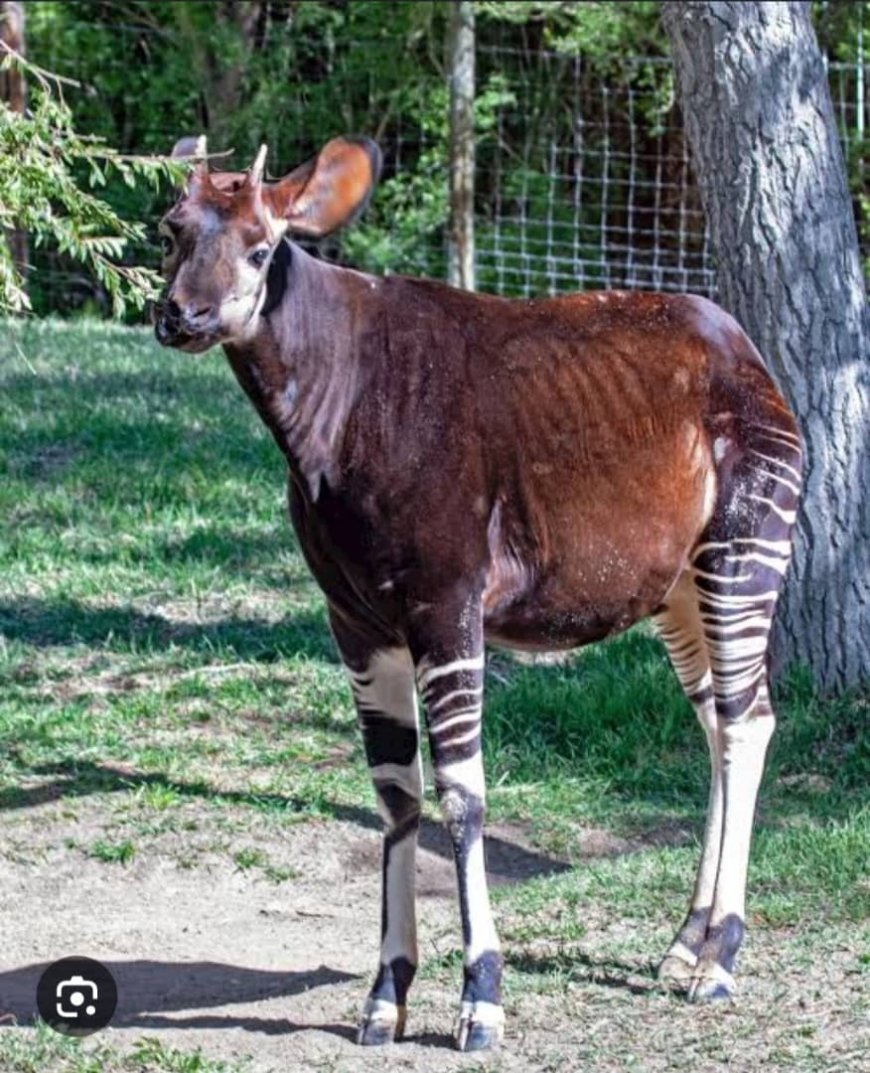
(215, 959)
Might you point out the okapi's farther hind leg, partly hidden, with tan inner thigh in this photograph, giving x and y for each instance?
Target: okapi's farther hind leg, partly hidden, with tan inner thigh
(682, 630)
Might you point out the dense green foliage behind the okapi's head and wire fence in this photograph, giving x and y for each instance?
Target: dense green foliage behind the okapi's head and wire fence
(298, 72)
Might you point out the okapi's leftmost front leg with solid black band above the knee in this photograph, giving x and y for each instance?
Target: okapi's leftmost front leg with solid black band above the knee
(382, 681)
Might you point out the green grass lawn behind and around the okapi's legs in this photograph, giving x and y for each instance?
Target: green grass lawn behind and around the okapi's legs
(165, 652)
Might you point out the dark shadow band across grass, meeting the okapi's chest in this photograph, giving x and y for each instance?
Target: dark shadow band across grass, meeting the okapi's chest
(48, 624)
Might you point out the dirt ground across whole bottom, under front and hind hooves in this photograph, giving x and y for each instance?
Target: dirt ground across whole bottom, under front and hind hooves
(212, 958)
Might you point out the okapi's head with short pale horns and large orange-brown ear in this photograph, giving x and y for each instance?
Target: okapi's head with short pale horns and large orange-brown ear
(222, 234)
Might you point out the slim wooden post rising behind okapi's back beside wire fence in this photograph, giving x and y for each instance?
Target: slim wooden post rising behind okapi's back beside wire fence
(461, 67)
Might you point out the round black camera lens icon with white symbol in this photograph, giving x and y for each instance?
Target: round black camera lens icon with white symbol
(77, 996)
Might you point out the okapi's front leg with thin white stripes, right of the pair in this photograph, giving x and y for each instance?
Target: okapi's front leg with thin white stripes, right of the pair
(450, 680)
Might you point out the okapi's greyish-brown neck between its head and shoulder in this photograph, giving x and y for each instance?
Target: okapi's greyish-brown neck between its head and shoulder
(302, 370)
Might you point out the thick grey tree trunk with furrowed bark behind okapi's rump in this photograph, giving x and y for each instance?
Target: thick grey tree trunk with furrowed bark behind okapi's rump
(761, 127)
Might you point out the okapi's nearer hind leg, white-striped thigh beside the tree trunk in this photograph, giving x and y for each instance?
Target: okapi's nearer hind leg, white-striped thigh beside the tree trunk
(739, 571)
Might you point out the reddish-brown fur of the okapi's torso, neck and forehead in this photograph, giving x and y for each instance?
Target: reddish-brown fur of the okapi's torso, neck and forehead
(571, 436)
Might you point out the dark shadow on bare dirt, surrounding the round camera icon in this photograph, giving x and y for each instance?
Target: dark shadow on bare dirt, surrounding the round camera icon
(149, 991)
